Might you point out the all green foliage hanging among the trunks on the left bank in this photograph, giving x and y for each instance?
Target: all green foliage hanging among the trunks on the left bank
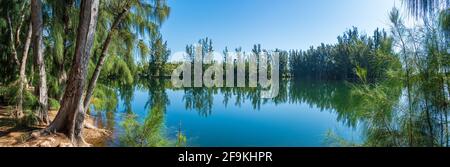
(141, 23)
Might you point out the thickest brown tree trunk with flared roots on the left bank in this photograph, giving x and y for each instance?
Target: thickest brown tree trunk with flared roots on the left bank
(66, 120)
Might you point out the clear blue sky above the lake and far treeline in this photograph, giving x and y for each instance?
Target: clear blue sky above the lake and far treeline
(284, 24)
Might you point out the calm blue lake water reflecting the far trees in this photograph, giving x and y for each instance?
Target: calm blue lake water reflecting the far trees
(302, 115)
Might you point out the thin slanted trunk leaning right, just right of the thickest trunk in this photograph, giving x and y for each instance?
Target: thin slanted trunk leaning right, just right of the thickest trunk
(103, 56)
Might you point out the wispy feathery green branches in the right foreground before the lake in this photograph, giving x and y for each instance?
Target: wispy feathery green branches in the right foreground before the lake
(420, 117)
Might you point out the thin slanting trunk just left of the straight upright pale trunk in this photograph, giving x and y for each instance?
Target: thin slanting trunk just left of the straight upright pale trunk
(22, 75)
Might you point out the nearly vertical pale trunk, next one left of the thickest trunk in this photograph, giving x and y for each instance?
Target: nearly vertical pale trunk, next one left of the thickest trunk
(38, 51)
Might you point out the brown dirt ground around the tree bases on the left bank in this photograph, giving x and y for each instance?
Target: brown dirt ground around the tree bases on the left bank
(12, 136)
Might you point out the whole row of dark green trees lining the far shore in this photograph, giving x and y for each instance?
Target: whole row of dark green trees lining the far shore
(356, 57)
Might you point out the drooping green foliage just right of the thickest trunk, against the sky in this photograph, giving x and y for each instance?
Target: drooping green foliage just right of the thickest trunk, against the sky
(140, 25)
